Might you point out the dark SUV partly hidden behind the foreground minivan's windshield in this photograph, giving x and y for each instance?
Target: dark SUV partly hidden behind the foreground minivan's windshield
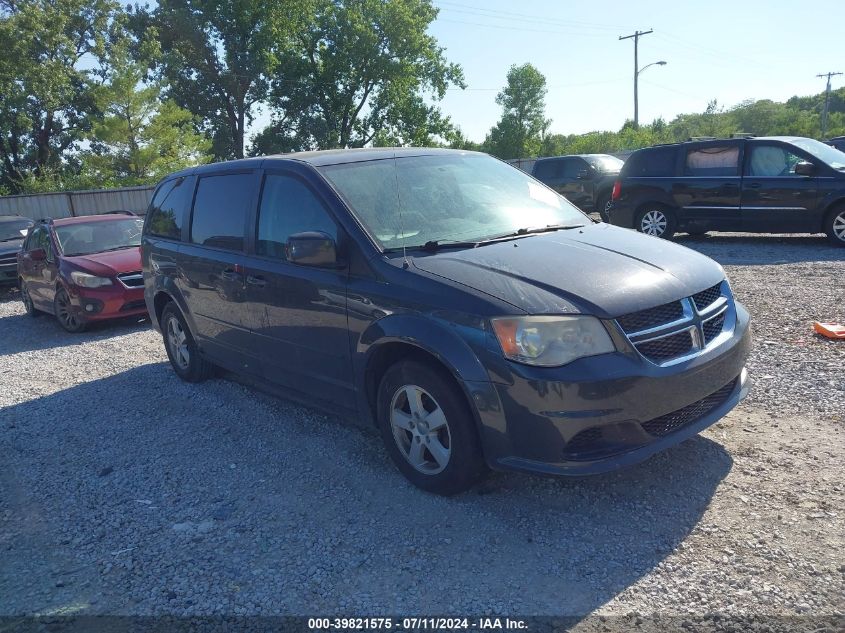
(586, 180)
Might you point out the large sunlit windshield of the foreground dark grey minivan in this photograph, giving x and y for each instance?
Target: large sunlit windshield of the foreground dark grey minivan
(410, 201)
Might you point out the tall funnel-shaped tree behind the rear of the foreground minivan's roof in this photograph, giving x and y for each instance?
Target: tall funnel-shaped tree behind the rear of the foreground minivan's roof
(217, 56)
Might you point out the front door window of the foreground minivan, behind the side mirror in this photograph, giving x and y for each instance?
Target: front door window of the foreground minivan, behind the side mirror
(288, 207)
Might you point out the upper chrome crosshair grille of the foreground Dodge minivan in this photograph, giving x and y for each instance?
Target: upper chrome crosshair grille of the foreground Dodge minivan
(673, 331)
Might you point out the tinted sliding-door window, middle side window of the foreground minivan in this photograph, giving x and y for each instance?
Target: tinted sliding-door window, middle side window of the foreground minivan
(220, 210)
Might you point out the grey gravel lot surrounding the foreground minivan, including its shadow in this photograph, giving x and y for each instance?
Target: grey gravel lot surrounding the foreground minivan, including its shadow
(126, 491)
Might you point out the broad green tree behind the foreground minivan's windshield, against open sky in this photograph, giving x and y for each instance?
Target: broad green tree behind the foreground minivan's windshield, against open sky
(360, 74)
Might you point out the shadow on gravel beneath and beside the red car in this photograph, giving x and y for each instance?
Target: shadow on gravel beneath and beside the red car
(23, 333)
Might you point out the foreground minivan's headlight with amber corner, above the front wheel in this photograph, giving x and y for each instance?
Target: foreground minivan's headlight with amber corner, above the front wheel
(549, 341)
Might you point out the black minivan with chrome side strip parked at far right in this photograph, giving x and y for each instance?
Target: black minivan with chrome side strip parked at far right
(757, 185)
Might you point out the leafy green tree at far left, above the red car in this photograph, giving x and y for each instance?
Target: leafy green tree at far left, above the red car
(46, 99)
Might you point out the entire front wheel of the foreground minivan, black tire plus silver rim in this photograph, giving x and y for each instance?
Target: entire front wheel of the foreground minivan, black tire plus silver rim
(428, 429)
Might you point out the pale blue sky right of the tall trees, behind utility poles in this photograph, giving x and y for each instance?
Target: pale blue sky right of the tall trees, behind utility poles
(719, 49)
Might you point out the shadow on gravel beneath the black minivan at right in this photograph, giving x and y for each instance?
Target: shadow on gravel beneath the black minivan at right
(762, 250)
